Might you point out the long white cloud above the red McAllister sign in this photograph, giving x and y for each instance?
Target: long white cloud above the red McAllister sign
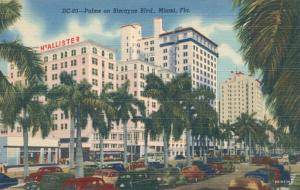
(32, 29)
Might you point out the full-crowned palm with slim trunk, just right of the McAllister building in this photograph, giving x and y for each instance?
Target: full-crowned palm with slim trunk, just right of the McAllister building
(127, 106)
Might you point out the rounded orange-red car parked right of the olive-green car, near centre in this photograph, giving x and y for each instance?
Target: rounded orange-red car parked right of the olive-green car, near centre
(193, 173)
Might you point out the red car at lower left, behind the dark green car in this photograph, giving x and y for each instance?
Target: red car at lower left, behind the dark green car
(38, 175)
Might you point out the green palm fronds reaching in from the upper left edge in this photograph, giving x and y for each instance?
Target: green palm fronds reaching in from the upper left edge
(26, 59)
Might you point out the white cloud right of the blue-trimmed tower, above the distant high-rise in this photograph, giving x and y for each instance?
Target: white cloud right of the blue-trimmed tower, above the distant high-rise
(226, 51)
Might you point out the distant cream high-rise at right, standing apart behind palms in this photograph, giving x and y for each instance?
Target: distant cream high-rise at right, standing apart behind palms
(241, 94)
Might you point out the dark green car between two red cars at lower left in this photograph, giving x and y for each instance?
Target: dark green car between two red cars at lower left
(50, 181)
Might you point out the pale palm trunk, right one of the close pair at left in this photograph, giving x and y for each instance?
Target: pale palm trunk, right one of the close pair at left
(79, 154)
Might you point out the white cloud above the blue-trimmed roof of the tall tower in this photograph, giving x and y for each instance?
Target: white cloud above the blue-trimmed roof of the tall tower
(197, 23)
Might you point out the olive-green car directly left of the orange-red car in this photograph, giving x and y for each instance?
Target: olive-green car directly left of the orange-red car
(168, 176)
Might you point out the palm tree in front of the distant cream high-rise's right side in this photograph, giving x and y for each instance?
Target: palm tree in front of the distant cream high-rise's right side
(246, 127)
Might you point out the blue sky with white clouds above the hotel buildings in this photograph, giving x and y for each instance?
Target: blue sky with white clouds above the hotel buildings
(44, 21)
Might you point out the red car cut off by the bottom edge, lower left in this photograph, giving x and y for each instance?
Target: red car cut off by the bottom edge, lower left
(87, 183)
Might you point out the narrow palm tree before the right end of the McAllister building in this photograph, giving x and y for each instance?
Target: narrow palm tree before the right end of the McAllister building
(103, 117)
